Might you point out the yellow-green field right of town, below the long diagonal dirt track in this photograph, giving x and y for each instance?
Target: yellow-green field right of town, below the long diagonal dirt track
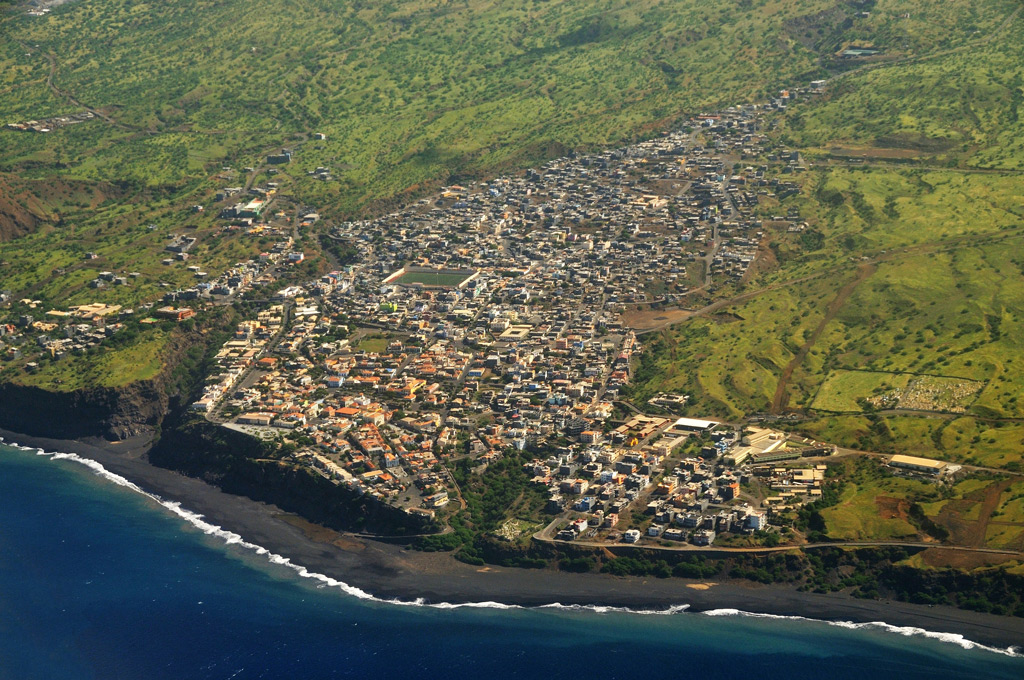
(952, 309)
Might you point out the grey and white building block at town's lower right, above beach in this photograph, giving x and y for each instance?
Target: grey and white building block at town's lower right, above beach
(674, 498)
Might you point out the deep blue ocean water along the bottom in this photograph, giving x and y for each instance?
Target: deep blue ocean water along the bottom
(98, 581)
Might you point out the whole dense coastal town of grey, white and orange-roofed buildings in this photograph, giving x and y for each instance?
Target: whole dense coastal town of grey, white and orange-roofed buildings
(490, 319)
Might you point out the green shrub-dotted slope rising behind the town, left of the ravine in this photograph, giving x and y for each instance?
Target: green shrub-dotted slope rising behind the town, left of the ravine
(406, 91)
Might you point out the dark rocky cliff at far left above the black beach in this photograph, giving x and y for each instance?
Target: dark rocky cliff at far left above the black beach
(110, 413)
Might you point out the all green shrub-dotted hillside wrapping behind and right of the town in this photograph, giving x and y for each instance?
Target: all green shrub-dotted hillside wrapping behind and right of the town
(410, 95)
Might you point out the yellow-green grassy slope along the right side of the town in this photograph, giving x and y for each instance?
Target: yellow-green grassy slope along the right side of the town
(946, 296)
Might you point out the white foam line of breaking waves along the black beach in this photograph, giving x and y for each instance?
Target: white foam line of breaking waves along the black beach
(231, 538)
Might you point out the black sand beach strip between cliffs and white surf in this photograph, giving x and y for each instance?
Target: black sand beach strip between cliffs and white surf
(390, 572)
